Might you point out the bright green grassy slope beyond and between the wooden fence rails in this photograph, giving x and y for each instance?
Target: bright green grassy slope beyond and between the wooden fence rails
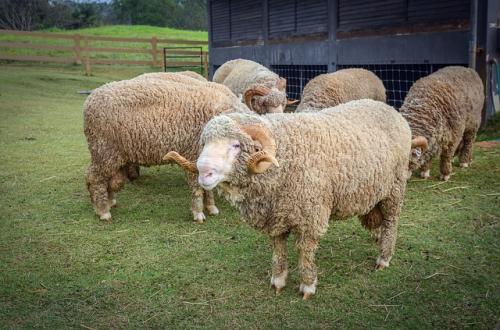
(124, 31)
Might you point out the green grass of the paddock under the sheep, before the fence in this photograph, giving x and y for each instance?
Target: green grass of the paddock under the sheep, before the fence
(60, 267)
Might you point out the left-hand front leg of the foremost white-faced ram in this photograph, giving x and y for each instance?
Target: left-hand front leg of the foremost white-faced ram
(280, 264)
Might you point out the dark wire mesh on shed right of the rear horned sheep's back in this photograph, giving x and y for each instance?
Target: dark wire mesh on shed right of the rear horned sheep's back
(297, 76)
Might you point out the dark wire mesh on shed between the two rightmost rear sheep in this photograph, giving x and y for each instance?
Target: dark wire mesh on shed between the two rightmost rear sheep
(398, 78)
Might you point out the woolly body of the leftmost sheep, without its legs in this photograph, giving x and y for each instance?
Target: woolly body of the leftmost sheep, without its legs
(142, 122)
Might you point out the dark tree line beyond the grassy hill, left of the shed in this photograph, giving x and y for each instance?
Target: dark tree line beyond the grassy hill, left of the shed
(29, 15)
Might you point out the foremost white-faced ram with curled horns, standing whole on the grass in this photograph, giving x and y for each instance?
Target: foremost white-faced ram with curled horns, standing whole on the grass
(326, 164)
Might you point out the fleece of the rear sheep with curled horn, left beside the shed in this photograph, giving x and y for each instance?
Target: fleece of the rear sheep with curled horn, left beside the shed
(240, 75)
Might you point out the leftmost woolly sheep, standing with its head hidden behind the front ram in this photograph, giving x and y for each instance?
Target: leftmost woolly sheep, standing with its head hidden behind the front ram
(133, 122)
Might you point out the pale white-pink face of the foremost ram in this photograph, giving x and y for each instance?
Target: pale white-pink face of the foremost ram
(216, 162)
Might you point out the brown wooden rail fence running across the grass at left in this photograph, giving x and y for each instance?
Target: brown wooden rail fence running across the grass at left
(82, 48)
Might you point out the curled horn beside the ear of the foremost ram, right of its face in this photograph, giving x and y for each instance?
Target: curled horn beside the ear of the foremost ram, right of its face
(261, 160)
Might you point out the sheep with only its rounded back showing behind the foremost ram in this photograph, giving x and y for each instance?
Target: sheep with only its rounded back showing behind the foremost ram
(331, 89)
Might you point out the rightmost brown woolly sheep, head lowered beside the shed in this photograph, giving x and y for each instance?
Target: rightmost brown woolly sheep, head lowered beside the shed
(444, 114)
